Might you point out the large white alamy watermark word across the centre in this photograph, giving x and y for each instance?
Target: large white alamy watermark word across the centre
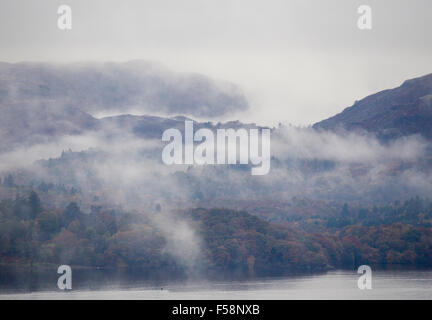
(227, 146)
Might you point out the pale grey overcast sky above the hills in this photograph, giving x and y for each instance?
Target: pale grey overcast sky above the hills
(297, 61)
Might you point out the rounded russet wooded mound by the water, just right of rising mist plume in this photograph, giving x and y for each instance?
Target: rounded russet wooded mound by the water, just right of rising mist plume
(242, 243)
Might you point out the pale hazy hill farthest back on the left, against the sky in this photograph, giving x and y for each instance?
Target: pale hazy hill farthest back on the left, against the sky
(119, 87)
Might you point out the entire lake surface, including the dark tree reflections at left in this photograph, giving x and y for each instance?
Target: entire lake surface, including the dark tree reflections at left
(97, 284)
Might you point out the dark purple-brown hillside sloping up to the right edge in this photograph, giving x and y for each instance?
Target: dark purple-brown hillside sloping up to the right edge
(389, 114)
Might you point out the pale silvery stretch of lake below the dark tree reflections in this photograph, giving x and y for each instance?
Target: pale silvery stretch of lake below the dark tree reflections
(333, 285)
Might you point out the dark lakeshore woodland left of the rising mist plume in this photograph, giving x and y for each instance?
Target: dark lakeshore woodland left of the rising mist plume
(30, 234)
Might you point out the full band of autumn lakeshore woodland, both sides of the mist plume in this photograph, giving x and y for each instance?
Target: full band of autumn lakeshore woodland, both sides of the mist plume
(233, 243)
